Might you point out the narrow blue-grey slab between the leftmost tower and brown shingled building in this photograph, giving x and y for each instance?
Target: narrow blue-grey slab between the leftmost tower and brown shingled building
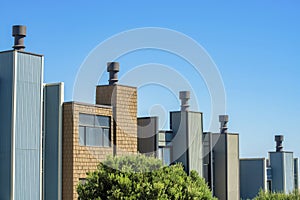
(53, 99)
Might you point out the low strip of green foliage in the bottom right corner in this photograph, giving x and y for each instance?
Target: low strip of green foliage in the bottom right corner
(295, 195)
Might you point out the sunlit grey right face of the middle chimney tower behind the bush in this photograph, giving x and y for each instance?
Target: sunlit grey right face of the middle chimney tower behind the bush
(195, 134)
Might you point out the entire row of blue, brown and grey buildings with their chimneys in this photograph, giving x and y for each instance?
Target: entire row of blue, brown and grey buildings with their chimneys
(47, 145)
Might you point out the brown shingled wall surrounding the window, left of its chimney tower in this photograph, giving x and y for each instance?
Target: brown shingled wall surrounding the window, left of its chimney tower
(77, 160)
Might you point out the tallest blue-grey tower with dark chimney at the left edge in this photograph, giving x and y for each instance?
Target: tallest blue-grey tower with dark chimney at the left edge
(21, 96)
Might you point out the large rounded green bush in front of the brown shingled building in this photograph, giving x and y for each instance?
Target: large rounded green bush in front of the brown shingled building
(140, 177)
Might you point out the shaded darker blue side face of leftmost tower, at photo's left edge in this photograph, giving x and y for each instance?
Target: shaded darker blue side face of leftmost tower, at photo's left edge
(6, 88)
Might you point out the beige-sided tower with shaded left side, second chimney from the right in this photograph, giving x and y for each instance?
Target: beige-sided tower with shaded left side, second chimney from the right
(221, 162)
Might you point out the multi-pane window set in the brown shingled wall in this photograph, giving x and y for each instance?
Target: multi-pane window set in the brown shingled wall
(94, 130)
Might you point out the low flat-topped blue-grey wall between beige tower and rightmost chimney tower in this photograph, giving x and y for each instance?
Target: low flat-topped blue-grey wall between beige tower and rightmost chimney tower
(252, 177)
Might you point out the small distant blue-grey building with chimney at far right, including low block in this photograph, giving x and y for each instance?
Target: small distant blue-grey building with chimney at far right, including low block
(278, 173)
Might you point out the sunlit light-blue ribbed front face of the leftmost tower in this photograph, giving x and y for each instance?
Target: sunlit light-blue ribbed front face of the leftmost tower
(28, 126)
